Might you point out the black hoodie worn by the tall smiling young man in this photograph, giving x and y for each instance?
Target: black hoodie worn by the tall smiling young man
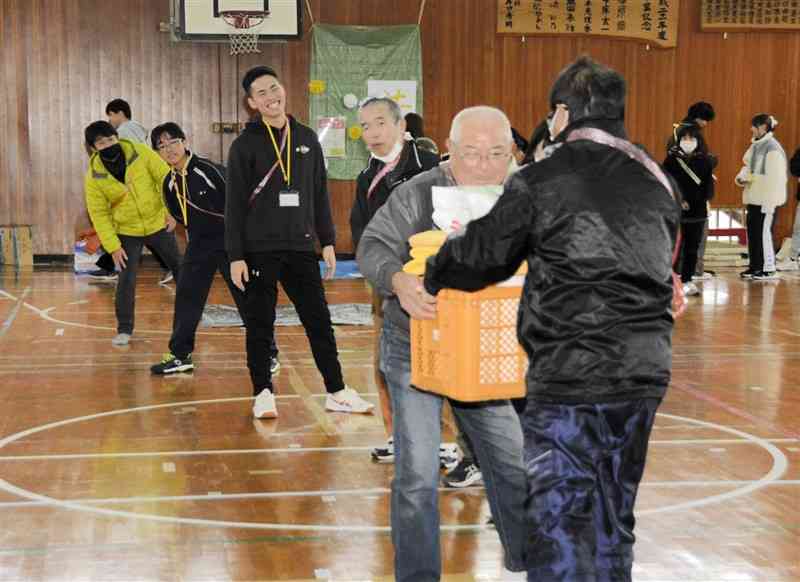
(260, 224)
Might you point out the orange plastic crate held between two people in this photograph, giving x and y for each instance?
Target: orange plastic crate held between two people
(470, 351)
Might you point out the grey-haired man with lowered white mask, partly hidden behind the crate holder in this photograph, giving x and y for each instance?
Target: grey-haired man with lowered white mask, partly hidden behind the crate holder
(394, 160)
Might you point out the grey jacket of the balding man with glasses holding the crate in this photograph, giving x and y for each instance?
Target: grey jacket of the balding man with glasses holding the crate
(383, 248)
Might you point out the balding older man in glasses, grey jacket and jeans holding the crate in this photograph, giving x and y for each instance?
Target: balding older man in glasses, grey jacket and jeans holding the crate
(480, 146)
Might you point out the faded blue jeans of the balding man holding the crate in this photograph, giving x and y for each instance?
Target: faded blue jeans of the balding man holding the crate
(496, 434)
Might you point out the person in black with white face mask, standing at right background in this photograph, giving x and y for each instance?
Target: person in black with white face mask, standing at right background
(691, 168)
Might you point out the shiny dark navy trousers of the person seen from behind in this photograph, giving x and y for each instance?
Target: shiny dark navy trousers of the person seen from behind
(584, 464)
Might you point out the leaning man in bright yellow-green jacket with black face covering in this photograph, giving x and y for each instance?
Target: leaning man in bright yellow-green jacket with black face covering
(123, 196)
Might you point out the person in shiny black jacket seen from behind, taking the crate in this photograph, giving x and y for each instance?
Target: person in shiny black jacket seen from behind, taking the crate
(596, 222)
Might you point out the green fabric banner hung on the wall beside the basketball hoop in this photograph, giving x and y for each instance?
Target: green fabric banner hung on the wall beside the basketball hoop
(343, 61)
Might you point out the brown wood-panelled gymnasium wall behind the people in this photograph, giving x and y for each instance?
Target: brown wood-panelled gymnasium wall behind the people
(62, 60)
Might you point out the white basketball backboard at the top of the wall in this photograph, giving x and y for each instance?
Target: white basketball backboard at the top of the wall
(201, 20)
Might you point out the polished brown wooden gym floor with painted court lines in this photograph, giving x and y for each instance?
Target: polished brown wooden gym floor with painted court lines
(108, 473)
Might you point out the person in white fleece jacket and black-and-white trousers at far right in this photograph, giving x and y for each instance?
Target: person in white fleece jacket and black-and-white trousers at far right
(764, 178)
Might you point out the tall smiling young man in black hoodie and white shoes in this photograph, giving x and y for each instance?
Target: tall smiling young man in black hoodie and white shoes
(277, 202)
